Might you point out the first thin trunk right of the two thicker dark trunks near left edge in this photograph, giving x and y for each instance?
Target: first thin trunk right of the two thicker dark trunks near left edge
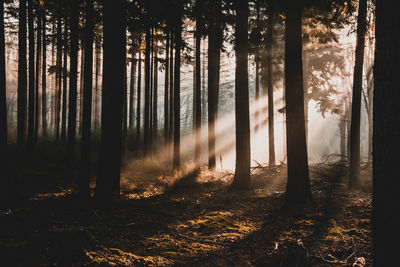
(38, 71)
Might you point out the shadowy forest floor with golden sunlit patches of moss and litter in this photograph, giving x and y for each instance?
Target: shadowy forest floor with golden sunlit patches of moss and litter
(163, 219)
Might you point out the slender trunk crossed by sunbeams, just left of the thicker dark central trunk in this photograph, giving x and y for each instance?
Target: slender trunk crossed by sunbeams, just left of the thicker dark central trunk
(197, 92)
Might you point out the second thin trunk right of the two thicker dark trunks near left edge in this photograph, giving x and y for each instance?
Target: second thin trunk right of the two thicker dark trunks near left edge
(44, 80)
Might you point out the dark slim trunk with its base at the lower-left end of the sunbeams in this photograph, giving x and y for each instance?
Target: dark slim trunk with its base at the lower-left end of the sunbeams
(177, 96)
